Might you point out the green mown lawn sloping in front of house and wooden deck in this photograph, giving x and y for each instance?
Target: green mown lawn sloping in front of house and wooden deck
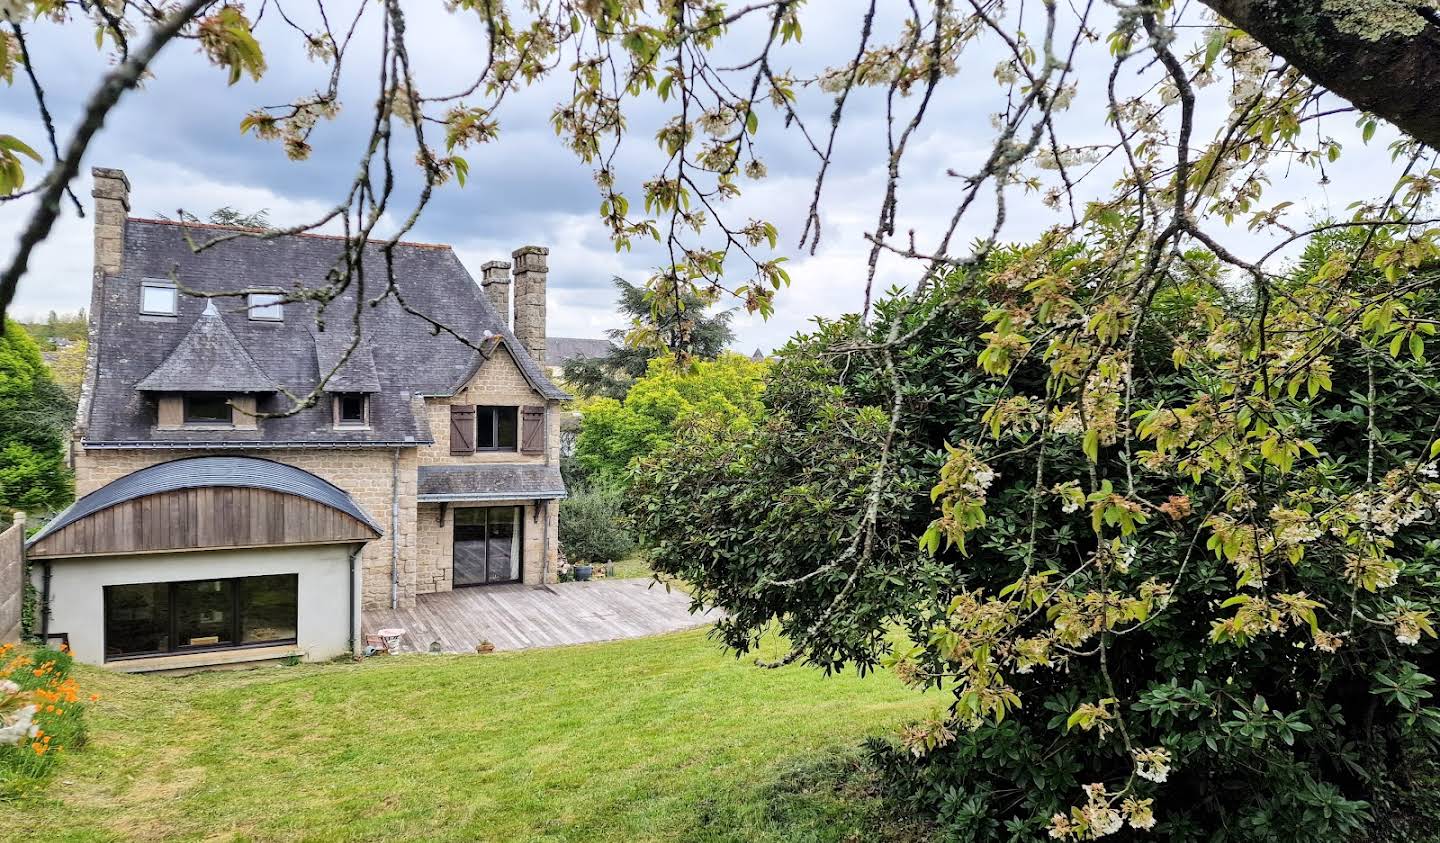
(650, 740)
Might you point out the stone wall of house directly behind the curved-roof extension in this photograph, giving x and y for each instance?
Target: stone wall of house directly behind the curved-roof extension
(366, 475)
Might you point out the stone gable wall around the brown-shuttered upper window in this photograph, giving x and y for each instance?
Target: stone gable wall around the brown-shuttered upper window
(499, 383)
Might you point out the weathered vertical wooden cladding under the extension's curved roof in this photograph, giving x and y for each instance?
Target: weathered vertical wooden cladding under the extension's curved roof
(204, 519)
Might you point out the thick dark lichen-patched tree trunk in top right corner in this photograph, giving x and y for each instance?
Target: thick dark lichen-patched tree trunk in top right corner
(1386, 61)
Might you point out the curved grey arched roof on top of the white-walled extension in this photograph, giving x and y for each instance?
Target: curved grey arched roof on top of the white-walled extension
(210, 472)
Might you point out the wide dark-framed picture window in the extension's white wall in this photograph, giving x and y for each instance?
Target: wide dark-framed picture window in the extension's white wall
(201, 615)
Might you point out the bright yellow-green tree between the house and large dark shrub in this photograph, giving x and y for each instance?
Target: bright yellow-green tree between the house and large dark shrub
(614, 433)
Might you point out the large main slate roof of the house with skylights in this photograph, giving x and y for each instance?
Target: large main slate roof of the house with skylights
(405, 355)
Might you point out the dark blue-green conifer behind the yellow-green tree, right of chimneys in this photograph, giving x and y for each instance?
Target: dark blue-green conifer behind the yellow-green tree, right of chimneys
(688, 332)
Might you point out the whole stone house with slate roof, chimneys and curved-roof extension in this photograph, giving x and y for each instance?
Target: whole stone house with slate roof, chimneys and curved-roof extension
(224, 518)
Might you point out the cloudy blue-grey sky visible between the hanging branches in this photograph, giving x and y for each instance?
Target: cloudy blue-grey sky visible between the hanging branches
(181, 145)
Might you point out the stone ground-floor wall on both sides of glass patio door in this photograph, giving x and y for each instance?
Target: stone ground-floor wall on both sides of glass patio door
(436, 541)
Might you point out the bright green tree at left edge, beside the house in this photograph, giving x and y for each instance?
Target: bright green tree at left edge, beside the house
(35, 414)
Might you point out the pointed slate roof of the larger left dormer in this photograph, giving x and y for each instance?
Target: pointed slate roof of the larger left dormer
(208, 360)
